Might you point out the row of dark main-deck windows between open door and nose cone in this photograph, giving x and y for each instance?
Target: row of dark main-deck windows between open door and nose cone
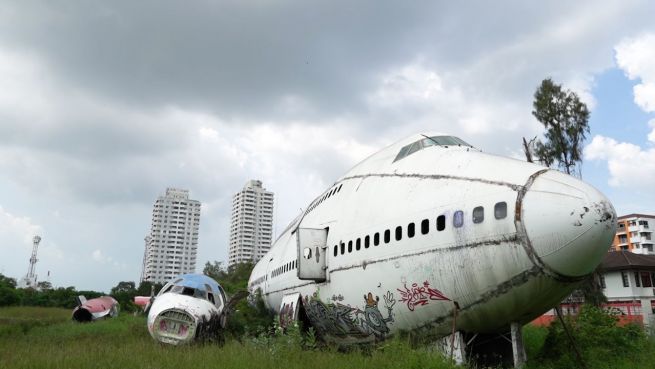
(500, 212)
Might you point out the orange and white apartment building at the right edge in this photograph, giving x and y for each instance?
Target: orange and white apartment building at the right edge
(634, 233)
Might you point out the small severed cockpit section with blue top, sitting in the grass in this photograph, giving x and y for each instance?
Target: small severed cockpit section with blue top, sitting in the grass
(189, 307)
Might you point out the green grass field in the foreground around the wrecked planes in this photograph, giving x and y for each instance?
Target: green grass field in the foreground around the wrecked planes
(47, 338)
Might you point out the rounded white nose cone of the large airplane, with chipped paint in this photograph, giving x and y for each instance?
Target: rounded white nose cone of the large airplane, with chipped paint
(569, 223)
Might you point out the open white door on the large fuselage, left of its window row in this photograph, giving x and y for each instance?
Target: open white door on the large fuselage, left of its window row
(312, 247)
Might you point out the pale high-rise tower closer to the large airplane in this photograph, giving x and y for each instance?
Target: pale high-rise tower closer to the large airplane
(251, 228)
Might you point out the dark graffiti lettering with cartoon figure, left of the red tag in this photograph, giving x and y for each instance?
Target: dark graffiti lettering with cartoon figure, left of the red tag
(341, 320)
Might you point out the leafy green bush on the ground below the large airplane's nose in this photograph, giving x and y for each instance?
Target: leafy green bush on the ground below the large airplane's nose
(602, 343)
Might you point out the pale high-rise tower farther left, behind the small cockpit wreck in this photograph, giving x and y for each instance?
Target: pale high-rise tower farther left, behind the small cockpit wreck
(172, 244)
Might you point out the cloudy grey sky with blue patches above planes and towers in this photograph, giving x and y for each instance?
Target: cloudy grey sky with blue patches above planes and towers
(105, 104)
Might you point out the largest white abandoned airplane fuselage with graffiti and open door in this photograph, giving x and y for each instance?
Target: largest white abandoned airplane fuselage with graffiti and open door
(434, 236)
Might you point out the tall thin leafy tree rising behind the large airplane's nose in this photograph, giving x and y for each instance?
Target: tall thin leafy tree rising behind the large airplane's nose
(565, 118)
